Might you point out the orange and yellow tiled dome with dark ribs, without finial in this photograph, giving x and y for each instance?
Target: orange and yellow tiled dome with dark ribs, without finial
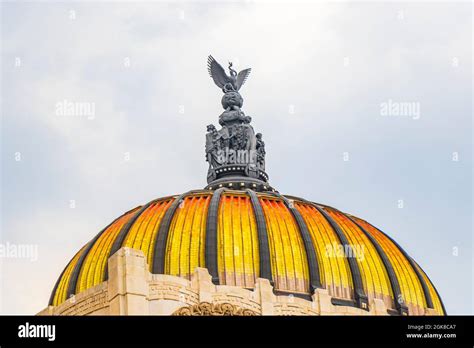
(240, 235)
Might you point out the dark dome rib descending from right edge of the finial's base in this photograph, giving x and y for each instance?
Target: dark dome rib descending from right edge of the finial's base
(263, 248)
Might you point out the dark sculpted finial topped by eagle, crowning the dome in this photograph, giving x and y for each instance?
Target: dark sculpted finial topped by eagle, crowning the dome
(236, 155)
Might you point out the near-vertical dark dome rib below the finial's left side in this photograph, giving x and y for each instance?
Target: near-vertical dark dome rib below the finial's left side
(211, 235)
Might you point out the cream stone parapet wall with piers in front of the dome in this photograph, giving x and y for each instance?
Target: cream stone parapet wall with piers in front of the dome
(132, 290)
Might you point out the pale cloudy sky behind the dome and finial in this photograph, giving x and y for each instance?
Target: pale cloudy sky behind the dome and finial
(366, 107)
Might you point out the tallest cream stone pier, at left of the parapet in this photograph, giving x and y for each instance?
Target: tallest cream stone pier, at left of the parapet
(127, 283)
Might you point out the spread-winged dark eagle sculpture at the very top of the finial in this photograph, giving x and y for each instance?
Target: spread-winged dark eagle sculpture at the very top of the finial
(224, 81)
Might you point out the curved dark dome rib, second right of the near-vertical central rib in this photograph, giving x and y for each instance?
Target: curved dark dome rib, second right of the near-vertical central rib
(314, 276)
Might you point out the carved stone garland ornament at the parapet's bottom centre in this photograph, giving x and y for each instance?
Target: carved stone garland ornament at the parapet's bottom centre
(213, 309)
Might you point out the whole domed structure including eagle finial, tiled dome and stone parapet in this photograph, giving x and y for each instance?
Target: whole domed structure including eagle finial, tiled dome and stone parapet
(249, 240)
